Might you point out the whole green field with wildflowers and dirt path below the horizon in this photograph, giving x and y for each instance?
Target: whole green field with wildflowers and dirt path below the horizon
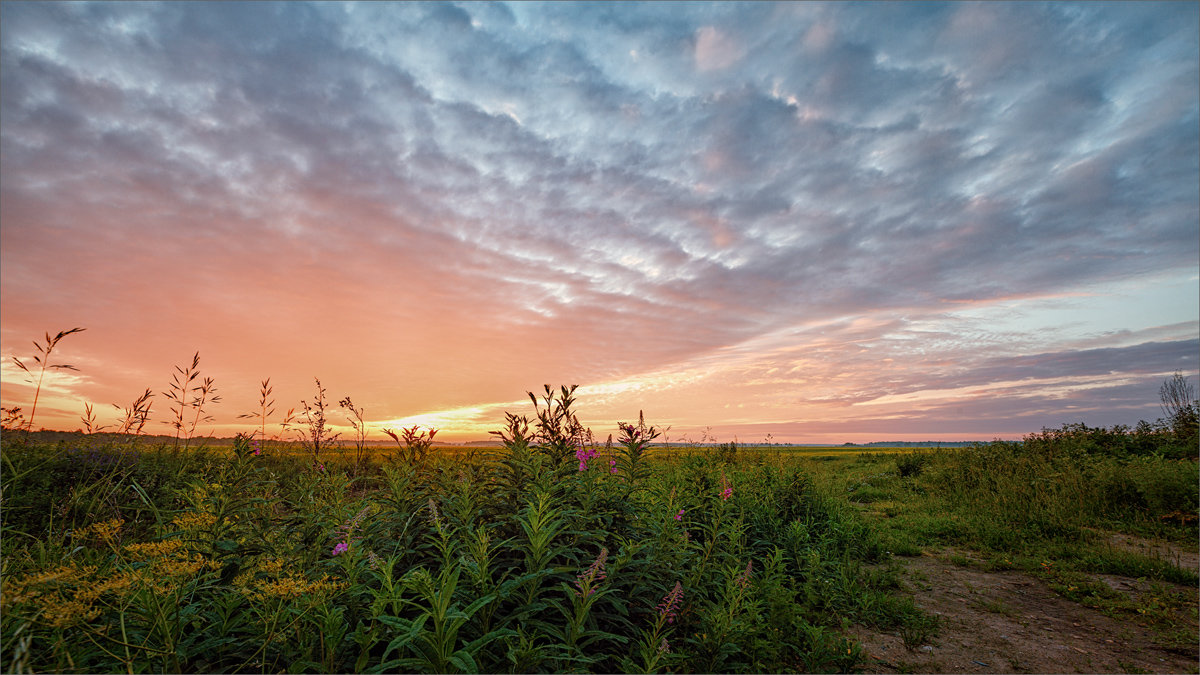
(545, 554)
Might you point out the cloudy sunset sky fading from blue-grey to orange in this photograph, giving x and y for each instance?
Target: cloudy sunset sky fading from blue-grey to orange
(813, 223)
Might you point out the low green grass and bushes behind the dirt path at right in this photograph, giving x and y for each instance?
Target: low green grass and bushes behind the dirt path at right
(1046, 509)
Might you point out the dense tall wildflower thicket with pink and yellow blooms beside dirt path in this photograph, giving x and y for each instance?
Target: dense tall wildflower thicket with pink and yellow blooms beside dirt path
(557, 555)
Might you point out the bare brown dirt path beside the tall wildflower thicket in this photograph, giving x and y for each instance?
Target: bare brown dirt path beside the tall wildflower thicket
(1012, 623)
